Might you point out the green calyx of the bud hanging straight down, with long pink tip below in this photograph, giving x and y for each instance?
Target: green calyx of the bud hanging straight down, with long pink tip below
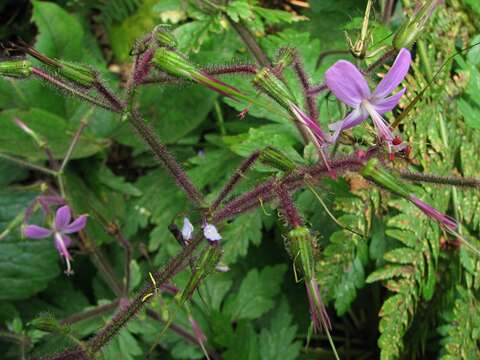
(302, 245)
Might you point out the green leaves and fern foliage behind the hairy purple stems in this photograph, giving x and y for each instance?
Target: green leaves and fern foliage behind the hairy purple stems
(404, 290)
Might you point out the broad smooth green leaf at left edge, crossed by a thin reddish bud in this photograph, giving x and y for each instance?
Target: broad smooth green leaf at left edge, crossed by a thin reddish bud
(53, 129)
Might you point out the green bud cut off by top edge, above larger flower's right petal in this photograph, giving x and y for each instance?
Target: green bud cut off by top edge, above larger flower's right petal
(409, 32)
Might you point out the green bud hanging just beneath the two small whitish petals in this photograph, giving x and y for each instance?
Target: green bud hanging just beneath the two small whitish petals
(205, 265)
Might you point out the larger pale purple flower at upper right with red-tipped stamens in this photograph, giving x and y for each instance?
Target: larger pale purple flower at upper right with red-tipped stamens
(350, 87)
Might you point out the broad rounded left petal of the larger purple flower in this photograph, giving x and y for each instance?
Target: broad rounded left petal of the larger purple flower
(347, 83)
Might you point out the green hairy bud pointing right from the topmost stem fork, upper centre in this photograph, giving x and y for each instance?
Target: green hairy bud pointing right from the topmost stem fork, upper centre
(176, 65)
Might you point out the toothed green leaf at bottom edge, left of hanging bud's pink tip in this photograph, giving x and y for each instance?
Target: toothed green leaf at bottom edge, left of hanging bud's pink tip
(278, 341)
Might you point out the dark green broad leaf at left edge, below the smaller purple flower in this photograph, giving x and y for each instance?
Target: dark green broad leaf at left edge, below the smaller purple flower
(26, 267)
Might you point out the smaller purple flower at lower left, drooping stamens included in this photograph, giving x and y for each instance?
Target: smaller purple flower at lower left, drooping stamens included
(61, 227)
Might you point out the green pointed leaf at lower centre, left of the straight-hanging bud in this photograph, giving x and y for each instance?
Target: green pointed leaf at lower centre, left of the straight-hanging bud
(256, 294)
